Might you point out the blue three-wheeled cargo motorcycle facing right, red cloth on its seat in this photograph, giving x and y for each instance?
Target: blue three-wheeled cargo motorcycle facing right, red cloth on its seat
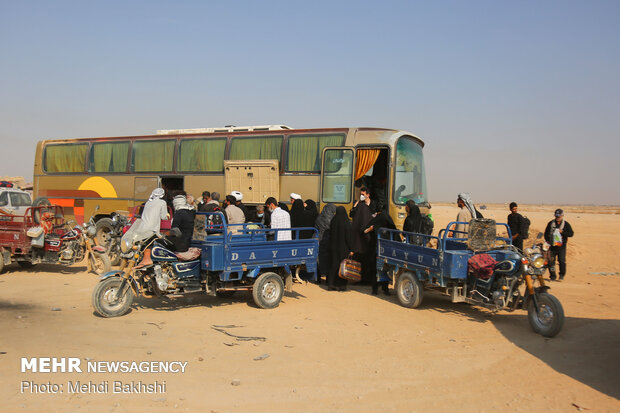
(445, 263)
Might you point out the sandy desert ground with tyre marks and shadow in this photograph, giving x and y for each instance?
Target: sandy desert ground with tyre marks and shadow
(329, 351)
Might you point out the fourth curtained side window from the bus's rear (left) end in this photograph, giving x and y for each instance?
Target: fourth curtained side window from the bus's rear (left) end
(201, 155)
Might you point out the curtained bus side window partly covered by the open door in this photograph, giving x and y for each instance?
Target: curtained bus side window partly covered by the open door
(304, 151)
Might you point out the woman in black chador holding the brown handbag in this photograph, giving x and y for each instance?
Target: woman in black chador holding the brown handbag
(340, 247)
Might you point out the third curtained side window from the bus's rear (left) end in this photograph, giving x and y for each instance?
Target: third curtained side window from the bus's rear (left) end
(152, 156)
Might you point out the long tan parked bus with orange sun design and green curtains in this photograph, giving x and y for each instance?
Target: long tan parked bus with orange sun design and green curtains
(329, 165)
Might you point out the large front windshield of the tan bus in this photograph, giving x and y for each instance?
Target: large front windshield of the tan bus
(409, 173)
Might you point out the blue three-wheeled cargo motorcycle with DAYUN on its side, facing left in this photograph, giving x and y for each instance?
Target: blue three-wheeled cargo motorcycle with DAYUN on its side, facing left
(222, 260)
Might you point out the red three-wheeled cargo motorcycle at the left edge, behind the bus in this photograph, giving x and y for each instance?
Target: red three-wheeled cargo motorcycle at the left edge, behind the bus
(41, 235)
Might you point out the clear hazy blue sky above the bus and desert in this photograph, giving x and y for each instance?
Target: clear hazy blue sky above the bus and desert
(515, 101)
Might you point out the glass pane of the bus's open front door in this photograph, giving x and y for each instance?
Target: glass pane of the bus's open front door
(337, 176)
